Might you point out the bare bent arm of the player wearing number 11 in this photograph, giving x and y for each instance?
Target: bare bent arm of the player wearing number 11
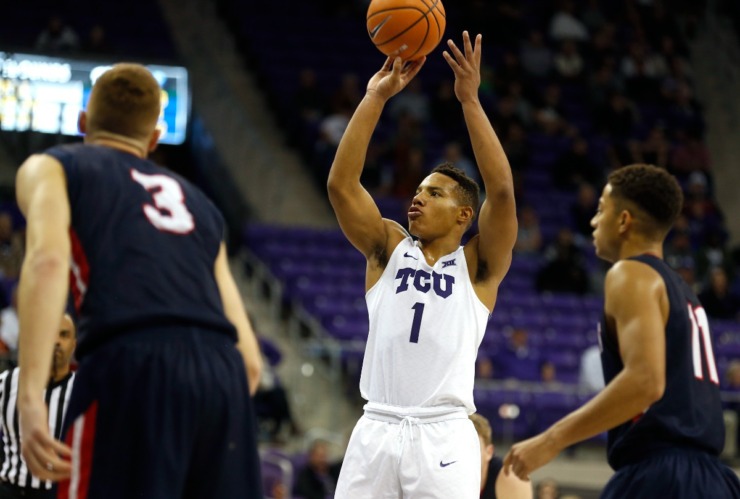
(636, 307)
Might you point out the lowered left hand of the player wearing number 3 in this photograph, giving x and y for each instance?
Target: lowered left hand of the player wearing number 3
(46, 458)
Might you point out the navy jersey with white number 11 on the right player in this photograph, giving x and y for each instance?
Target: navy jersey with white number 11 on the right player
(689, 414)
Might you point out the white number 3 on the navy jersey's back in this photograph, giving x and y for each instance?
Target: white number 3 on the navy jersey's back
(168, 213)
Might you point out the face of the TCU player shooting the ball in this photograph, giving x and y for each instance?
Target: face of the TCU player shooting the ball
(434, 208)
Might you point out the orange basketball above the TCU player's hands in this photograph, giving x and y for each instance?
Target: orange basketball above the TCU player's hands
(407, 28)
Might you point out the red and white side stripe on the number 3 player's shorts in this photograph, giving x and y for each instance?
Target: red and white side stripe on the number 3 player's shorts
(81, 438)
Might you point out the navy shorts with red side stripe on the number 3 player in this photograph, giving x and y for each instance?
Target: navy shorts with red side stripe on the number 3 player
(162, 414)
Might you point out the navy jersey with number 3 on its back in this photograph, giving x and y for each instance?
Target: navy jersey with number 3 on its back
(144, 245)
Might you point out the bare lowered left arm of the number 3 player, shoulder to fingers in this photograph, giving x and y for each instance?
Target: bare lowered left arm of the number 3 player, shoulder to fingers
(42, 197)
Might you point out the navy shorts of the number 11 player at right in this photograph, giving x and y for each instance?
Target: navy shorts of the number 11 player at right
(674, 474)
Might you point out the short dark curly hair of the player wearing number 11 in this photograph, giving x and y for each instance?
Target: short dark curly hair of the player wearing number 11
(652, 189)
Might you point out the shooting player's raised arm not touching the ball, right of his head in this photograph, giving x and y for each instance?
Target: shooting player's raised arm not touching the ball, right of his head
(497, 220)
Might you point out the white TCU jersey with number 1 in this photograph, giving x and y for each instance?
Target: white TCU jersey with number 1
(426, 324)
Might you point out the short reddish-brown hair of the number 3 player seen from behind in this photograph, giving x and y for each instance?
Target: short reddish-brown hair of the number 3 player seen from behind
(125, 100)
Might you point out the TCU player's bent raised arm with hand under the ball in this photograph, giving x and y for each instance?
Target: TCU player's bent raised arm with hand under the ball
(356, 210)
